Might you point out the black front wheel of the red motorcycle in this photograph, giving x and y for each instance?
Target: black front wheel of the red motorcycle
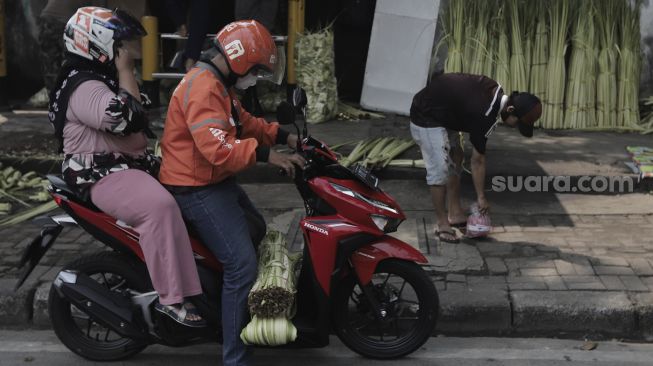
(409, 302)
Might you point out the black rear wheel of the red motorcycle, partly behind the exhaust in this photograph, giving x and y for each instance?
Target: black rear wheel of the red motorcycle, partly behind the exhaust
(76, 330)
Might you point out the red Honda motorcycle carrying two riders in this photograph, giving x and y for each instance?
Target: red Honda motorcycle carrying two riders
(355, 279)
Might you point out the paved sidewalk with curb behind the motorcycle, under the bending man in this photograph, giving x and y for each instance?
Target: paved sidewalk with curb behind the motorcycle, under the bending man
(576, 265)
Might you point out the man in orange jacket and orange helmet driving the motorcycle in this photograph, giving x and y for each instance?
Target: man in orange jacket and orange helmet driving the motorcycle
(208, 138)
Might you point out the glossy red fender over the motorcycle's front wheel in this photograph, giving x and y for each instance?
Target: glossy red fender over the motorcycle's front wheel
(365, 259)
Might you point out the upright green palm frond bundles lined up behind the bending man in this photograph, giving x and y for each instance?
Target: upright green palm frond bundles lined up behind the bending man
(581, 57)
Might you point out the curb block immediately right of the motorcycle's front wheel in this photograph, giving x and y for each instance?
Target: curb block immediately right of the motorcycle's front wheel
(474, 312)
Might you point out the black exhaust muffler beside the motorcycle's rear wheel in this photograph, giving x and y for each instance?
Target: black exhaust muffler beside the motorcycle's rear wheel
(110, 309)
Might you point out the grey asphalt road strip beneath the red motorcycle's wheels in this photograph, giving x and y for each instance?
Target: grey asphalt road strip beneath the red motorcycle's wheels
(35, 348)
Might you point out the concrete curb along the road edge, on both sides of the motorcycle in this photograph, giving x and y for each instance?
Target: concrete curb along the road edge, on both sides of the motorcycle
(566, 314)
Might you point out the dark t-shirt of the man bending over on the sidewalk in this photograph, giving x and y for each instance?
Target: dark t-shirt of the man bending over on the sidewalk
(459, 102)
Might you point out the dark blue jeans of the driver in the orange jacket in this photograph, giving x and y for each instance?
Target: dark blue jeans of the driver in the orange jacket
(224, 218)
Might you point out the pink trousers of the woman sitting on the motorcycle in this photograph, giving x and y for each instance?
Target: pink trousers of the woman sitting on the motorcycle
(140, 201)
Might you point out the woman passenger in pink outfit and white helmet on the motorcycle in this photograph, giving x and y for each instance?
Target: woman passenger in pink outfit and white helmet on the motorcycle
(96, 110)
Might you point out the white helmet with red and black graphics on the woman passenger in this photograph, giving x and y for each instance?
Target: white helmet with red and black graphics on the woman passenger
(94, 33)
